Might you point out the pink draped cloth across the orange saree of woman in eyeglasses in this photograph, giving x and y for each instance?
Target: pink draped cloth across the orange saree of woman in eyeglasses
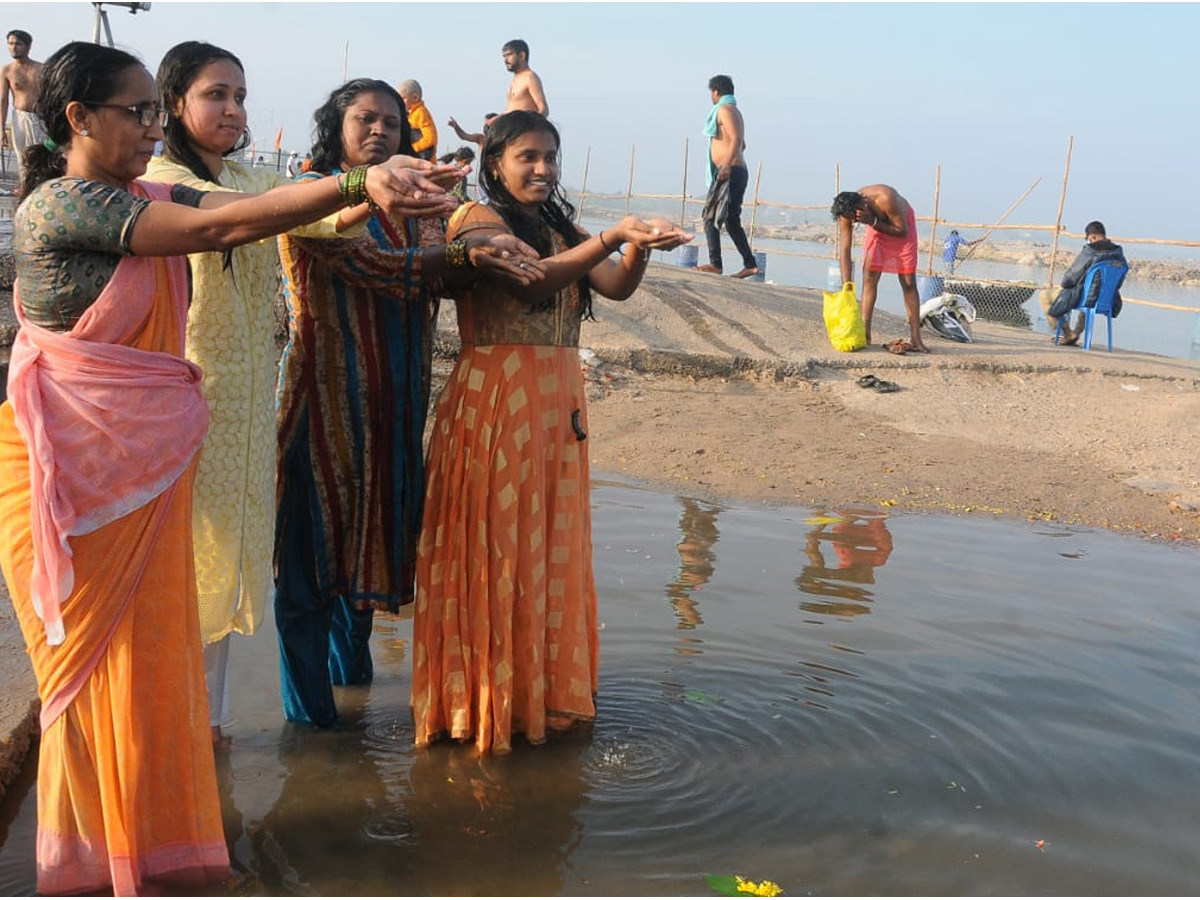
(109, 428)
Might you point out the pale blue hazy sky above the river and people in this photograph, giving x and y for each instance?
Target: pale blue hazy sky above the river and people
(992, 92)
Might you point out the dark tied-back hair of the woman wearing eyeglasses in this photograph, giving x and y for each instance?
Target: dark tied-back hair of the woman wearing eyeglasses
(79, 71)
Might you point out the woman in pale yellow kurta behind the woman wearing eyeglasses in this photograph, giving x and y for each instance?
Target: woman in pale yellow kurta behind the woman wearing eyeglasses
(231, 335)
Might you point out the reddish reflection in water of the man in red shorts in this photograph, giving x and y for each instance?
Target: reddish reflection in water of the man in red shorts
(861, 542)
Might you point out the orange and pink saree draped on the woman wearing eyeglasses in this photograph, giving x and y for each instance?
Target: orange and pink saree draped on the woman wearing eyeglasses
(98, 453)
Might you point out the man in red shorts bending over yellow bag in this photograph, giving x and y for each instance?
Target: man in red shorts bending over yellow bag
(890, 247)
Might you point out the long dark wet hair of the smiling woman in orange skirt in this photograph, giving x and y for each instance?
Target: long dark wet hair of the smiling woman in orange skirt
(556, 214)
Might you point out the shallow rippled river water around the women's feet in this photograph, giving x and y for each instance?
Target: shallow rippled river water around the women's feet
(841, 703)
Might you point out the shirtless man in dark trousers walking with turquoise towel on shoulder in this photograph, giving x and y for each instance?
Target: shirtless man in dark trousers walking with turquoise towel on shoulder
(728, 178)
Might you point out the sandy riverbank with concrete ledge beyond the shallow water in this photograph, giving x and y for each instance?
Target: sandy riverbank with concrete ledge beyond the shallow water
(724, 389)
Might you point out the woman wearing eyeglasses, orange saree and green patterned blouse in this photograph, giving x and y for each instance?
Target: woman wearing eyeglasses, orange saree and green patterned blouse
(99, 442)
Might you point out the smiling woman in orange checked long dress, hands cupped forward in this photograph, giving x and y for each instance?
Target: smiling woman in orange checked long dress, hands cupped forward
(505, 632)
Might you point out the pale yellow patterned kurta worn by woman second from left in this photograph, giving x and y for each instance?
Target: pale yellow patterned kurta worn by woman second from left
(231, 335)
